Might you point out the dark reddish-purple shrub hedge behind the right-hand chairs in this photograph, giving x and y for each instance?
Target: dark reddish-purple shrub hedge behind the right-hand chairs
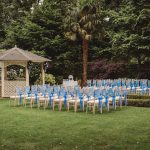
(102, 69)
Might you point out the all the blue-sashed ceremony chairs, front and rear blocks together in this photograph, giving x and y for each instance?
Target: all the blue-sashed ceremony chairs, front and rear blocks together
(98, 94)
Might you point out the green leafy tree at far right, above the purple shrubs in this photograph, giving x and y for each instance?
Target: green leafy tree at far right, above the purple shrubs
(129, 31)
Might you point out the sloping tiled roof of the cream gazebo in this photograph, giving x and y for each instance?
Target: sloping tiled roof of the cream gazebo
(17, 54)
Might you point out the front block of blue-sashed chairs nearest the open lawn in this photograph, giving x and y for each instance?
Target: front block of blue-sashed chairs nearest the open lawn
(67, 97)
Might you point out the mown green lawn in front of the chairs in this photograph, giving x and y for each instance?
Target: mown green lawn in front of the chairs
(25, 129)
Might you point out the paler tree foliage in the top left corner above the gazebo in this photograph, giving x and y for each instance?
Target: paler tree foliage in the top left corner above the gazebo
(10, 11)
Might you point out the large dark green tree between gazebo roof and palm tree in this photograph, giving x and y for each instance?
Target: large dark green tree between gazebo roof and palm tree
(42, 30)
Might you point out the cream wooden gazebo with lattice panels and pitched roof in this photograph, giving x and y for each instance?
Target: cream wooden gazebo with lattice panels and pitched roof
(14, 71)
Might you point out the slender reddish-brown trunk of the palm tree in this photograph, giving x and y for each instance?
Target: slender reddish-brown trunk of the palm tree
(85, 60)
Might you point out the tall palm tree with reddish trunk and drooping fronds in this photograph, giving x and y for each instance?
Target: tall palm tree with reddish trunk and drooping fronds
(84, 22)
